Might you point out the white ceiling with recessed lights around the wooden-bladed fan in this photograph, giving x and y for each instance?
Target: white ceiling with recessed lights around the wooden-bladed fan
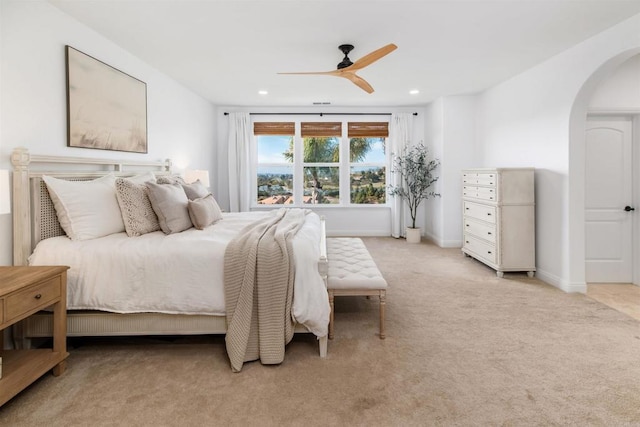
(228, 50)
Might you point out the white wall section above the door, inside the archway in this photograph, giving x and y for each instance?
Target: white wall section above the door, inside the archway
(620, 92)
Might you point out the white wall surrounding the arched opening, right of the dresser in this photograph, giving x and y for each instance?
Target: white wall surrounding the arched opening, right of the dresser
(533, 120)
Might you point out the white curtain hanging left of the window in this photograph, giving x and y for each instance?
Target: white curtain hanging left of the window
(240, 161)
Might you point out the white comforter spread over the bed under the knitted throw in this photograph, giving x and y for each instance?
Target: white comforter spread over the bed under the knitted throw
(177, 273)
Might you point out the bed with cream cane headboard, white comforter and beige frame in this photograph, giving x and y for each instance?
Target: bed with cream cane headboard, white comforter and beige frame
(112, 292)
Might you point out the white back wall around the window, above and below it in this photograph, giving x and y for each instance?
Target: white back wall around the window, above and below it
(341, 221)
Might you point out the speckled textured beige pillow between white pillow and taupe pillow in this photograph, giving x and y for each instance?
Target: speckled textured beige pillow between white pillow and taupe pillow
(135, 207)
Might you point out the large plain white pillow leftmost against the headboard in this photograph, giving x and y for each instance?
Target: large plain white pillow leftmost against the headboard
(86, 209)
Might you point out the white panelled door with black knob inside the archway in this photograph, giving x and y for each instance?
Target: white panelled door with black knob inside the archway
(608, 191)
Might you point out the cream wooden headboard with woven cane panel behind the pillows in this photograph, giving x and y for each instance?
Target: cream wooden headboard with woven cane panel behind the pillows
(34, 217)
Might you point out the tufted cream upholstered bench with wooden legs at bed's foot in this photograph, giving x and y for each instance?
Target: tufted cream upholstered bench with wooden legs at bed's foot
(352, 272)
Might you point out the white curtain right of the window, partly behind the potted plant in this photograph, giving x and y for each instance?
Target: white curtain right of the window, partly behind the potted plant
(400, 131)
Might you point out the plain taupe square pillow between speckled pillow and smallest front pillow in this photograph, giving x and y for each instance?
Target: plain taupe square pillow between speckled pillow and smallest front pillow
(170, 204)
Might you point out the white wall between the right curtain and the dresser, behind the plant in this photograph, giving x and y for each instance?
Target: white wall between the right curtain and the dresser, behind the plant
(450, 133)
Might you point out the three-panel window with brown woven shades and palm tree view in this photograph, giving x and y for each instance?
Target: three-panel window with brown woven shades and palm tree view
(329, 163)
